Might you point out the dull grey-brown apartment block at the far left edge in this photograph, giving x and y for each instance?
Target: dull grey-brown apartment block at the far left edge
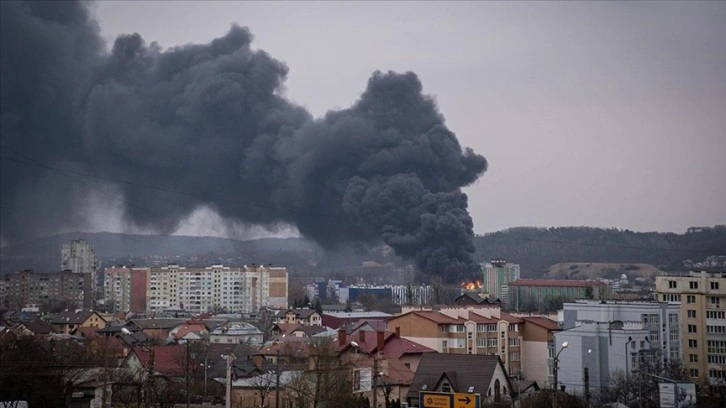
(49, 291)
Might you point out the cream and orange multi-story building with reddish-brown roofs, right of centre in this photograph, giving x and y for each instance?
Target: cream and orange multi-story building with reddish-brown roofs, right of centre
(465, 330)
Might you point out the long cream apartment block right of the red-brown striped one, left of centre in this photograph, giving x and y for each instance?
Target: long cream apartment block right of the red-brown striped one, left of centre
(216, 288)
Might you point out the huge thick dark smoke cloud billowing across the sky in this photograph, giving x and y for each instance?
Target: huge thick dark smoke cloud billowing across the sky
(210, 119)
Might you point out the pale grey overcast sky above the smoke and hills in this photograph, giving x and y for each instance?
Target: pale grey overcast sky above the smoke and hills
(589, 113)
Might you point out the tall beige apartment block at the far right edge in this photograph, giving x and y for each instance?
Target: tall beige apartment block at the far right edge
(702, 297)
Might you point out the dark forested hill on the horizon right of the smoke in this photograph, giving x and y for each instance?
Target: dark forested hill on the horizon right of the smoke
(535, 249)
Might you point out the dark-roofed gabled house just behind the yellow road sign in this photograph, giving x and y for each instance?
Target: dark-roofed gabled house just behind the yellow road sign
(459, 373)
